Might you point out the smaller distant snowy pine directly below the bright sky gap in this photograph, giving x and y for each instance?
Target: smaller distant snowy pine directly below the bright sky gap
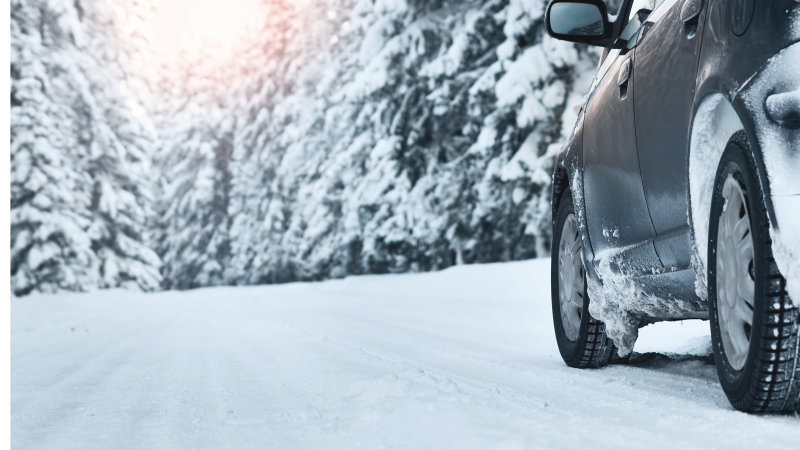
(192, 225)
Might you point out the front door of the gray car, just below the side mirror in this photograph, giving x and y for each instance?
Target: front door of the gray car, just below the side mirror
(616, 209)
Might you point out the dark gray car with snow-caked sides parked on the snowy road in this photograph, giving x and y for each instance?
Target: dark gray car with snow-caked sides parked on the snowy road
(678, 194)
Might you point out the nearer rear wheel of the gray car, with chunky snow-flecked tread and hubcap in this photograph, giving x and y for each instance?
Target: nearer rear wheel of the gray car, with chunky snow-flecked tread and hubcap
(754, 326)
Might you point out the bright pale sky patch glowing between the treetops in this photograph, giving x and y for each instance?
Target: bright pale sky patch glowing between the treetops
(178, 23)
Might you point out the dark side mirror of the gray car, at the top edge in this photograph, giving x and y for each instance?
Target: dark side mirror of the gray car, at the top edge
(584, 21)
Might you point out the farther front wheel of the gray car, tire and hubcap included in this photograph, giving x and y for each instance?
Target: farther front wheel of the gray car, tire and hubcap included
(582, 339)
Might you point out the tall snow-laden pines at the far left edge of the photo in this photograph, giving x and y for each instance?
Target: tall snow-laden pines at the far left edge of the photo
(80, 148)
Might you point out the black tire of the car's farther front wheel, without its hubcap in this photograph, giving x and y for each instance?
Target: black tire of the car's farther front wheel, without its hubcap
(592, 348)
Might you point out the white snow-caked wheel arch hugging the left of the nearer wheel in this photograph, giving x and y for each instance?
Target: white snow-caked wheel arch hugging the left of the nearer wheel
(714, 124)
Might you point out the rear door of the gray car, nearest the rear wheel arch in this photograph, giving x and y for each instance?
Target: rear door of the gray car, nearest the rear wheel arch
(667, 51)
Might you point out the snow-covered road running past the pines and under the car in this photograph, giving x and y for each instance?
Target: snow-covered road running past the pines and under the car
(464, 358)
